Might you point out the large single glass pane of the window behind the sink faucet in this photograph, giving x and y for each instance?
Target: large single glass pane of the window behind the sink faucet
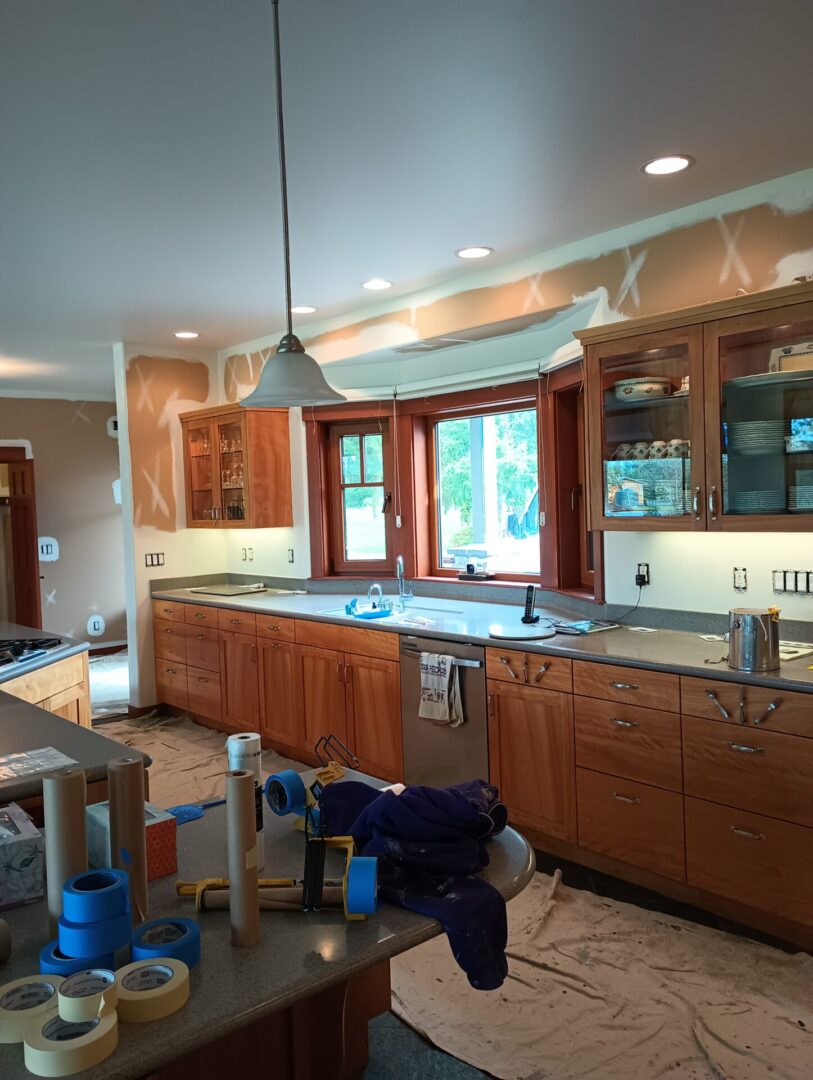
(489, 492)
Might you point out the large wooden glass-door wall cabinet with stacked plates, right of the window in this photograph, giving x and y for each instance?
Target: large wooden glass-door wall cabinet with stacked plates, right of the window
(703, 418)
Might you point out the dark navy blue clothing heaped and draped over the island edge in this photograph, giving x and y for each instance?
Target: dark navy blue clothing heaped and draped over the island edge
(429, 843)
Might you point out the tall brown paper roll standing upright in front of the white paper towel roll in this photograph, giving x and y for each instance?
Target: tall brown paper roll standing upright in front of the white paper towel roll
(245, 907)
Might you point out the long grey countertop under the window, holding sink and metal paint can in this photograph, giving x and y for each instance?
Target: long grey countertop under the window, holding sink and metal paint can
(671, 651)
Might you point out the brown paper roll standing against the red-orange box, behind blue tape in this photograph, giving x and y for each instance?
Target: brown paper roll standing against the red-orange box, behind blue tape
(128, 829)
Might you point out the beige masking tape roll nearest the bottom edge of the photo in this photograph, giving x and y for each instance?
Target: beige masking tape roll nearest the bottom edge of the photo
(60, 1048)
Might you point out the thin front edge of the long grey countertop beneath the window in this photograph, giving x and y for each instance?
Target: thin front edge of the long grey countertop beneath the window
(722, 672)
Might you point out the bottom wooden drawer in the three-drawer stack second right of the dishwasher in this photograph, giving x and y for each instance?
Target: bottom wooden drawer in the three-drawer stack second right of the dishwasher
(632, 822)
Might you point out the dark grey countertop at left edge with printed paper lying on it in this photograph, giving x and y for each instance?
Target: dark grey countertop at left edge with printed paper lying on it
(25, 727)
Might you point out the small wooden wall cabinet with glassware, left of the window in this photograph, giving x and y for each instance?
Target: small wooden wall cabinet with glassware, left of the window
(238, 468)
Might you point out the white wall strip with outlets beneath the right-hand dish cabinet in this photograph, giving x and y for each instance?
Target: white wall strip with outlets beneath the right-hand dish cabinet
(694, 573)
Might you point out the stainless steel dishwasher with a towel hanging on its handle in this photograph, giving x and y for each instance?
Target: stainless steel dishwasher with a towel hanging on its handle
(437, 754)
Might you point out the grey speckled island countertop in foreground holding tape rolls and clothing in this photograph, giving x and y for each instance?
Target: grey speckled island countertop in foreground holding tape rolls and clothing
(299, 954)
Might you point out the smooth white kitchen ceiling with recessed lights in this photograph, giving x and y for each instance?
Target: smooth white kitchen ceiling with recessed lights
(139, 174)
